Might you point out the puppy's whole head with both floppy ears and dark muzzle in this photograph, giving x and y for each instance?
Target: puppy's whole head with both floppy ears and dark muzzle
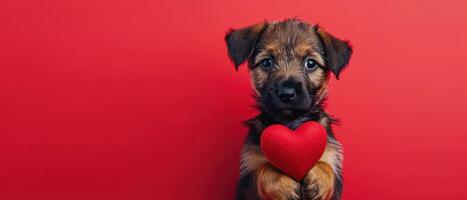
(290, 62)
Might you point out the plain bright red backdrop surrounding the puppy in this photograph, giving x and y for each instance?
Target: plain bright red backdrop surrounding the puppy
(105, 99)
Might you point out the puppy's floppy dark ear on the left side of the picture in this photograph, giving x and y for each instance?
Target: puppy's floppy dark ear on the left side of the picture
(241, 42)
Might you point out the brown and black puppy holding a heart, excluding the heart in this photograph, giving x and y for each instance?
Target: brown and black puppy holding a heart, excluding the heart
(290, 63)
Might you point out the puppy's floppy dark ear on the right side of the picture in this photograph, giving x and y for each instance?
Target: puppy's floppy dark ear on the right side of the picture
(337, 51)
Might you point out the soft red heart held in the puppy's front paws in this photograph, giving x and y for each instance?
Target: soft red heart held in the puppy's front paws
(294, 152)
